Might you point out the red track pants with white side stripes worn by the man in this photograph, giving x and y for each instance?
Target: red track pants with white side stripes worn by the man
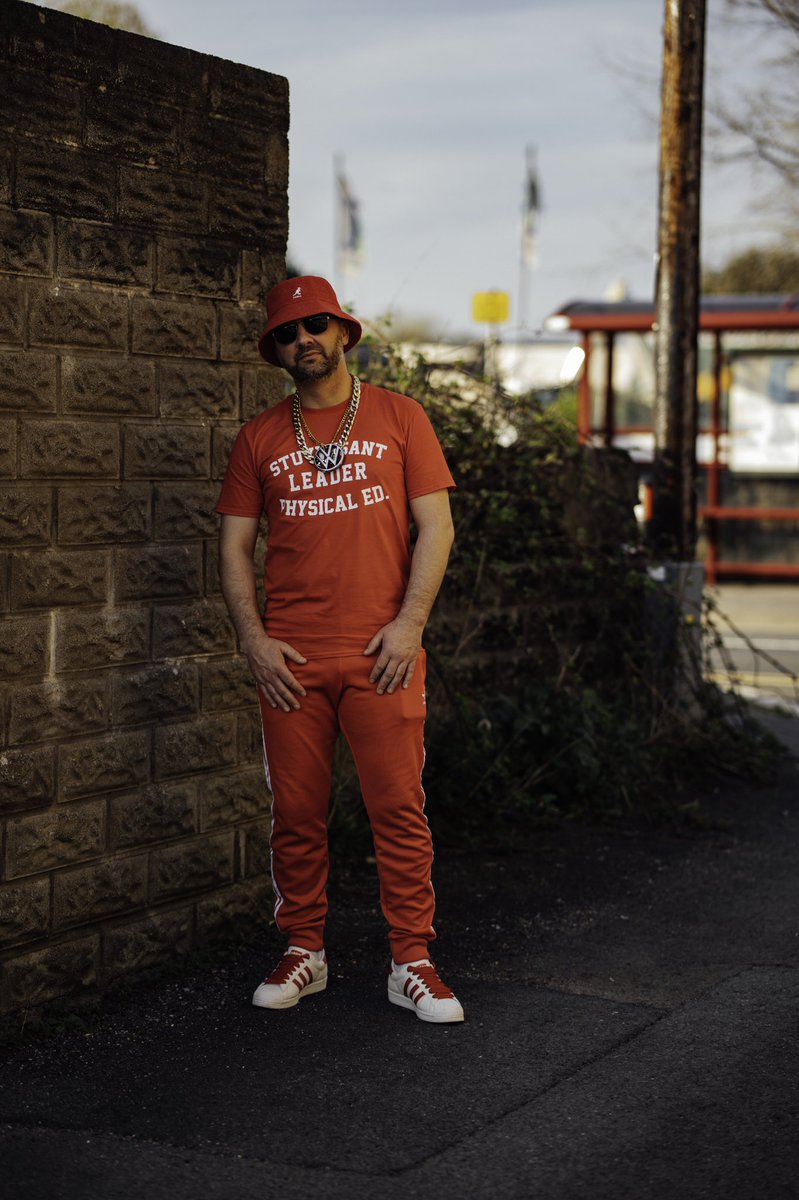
(386, 735)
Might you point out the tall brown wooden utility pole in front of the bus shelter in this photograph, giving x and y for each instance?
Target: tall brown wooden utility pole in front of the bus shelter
(672, 530)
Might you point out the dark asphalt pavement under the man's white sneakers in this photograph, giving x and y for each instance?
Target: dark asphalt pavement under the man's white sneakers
(633, 1031)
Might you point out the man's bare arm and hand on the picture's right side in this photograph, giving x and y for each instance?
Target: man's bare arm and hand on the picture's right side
(400, 641)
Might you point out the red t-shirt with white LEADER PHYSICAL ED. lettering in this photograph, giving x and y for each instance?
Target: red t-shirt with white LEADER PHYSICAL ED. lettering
(339, 549)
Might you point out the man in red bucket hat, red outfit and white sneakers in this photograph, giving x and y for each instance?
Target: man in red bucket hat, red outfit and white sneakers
(340, 469)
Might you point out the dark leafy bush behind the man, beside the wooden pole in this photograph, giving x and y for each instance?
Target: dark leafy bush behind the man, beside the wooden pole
(558, 680)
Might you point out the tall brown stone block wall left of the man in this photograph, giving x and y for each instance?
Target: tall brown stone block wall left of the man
(143, 215)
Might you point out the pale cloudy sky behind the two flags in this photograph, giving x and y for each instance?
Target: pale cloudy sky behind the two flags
(431, 104)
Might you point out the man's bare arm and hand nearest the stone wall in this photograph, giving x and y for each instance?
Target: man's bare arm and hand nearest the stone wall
(267, 656)
